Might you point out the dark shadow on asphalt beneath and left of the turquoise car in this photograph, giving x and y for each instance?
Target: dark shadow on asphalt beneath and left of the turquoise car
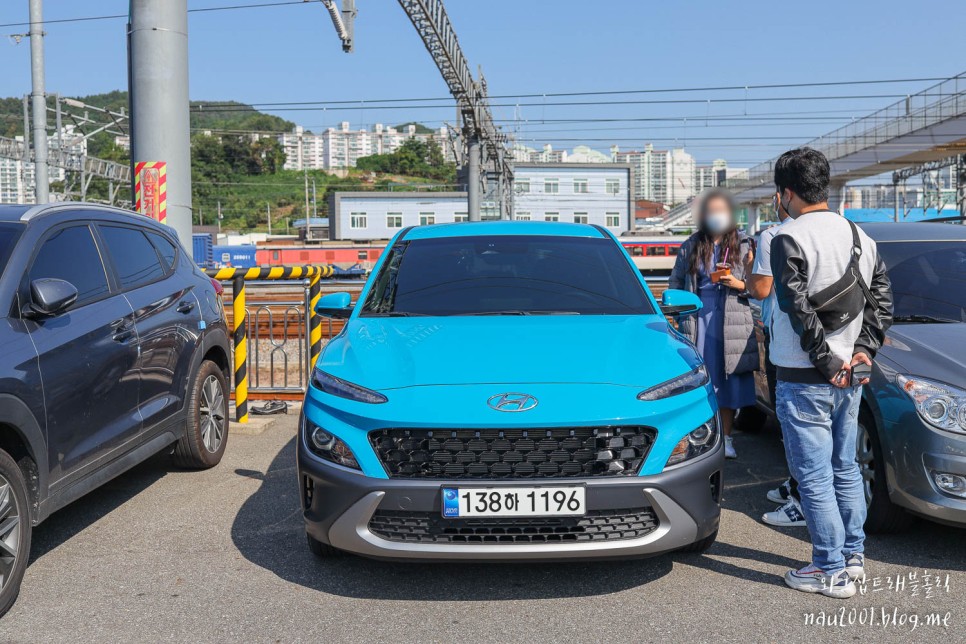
(268, 531)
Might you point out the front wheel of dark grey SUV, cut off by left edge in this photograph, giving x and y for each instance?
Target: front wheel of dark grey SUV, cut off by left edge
(15, 531)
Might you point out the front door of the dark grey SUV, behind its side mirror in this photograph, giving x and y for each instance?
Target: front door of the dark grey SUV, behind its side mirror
(88, 355)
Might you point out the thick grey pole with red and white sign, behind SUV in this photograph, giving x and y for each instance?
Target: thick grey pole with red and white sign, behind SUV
(158, 84)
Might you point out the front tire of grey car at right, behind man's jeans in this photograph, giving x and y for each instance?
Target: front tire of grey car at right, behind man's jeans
(883, 515)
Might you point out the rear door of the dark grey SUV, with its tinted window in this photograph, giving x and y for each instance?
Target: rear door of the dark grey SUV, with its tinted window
(166, 315)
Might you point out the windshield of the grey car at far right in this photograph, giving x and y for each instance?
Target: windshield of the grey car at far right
(928, 279)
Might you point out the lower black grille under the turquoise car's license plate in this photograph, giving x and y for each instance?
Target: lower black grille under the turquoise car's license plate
(596, 525)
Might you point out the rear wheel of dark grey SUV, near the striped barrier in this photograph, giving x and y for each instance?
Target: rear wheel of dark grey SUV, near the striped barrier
(206, 430)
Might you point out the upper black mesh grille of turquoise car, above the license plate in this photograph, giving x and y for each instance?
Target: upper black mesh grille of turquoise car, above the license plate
(512, 453)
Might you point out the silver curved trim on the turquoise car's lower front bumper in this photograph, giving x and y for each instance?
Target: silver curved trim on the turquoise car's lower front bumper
(676, 529)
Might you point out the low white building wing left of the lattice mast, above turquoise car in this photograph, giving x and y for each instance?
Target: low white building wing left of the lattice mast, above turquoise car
(362, 216)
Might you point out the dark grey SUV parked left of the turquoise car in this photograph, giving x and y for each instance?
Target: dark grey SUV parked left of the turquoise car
(113, 346)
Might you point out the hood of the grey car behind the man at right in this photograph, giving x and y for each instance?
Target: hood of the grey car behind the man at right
(935, 351)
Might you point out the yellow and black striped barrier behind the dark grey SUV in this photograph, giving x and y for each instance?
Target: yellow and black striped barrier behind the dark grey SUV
(240, 316)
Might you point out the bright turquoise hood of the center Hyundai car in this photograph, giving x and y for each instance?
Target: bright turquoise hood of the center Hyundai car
(389, 353)
